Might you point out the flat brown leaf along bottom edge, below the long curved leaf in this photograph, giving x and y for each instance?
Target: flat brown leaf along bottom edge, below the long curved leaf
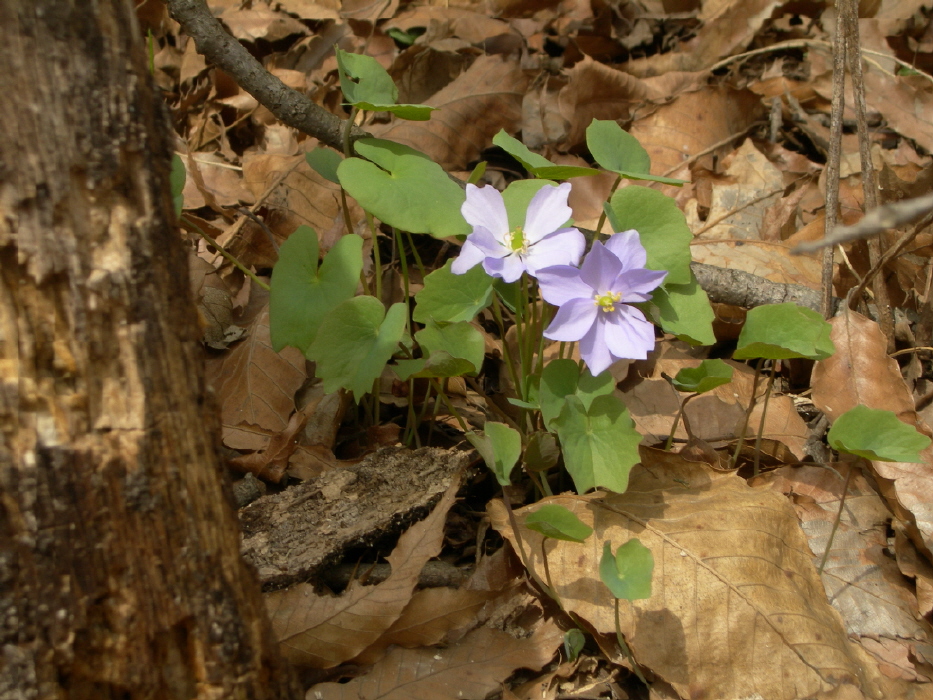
(468, 670)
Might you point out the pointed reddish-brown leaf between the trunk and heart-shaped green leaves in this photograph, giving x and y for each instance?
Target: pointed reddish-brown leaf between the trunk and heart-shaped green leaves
(253, 383)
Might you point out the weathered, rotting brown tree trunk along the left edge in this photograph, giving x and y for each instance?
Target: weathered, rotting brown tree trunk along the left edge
(120, 573)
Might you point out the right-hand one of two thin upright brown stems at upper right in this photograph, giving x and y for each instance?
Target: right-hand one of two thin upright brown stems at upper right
(869, 185)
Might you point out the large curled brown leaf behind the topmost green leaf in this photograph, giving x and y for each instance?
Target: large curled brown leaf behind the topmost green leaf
(485, 98)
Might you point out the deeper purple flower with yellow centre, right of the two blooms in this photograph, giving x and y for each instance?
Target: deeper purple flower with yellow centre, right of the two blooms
(594, 300)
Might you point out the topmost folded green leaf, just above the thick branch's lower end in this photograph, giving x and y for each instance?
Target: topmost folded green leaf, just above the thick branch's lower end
(366, 85)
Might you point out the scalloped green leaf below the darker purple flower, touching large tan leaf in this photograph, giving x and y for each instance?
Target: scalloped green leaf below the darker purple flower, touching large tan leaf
(600, 444)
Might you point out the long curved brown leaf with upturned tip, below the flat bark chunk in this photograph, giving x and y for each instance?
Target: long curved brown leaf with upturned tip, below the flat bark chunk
(324, 631)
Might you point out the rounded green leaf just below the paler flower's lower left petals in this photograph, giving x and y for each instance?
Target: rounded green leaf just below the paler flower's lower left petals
(449, 297)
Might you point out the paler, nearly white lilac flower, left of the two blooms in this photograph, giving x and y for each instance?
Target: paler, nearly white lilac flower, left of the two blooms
(505, 253)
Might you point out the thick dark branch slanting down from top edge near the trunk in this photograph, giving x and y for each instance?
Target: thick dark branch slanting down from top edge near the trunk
(288, 105)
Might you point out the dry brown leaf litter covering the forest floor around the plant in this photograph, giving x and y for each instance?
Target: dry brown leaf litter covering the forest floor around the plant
(741, 605)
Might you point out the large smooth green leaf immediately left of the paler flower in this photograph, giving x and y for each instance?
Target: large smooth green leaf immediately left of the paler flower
(404, 188)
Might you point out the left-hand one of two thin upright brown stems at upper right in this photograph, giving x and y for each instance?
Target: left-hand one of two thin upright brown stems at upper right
(835, 155)
